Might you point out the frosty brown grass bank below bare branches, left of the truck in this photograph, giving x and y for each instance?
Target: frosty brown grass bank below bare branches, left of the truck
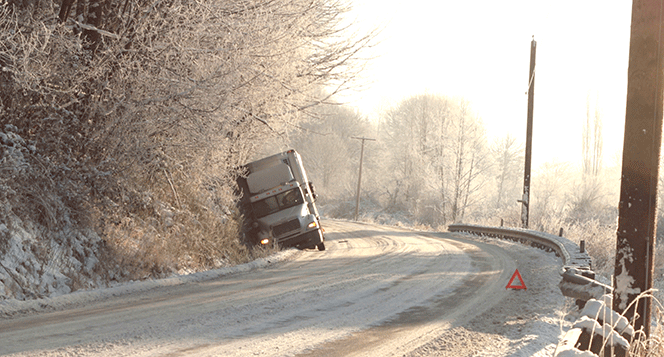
(78, 227)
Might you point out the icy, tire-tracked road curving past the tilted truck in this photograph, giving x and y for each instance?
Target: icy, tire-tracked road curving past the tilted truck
(375, 291)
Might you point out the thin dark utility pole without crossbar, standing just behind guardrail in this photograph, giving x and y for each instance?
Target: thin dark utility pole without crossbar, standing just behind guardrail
(525, 199)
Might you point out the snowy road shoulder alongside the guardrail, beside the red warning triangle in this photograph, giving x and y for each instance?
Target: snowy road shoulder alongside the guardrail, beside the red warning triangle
(525, 323)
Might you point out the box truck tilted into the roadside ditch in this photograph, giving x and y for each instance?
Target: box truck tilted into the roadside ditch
(279, 203)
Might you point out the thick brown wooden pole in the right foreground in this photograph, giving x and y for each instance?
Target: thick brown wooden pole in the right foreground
(637, 224)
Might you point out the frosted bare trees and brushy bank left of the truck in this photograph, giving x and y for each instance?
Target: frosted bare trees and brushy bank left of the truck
(122, 122)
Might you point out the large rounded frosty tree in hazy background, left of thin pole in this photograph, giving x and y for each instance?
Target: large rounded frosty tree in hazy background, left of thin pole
(438, 157)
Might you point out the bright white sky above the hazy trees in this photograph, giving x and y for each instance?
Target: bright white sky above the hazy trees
(480, 50)
